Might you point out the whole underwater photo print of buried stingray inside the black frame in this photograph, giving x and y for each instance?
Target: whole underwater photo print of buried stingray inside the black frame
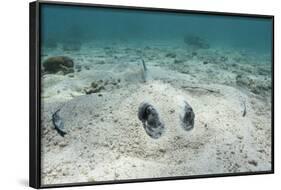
(132, 94)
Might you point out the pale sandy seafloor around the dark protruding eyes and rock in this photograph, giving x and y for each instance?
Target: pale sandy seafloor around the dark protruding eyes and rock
(105, 140)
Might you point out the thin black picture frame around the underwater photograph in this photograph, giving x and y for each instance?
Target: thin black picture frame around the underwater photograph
(35, 88)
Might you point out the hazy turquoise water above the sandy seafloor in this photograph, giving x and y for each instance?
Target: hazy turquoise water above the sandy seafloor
(84, 24)
